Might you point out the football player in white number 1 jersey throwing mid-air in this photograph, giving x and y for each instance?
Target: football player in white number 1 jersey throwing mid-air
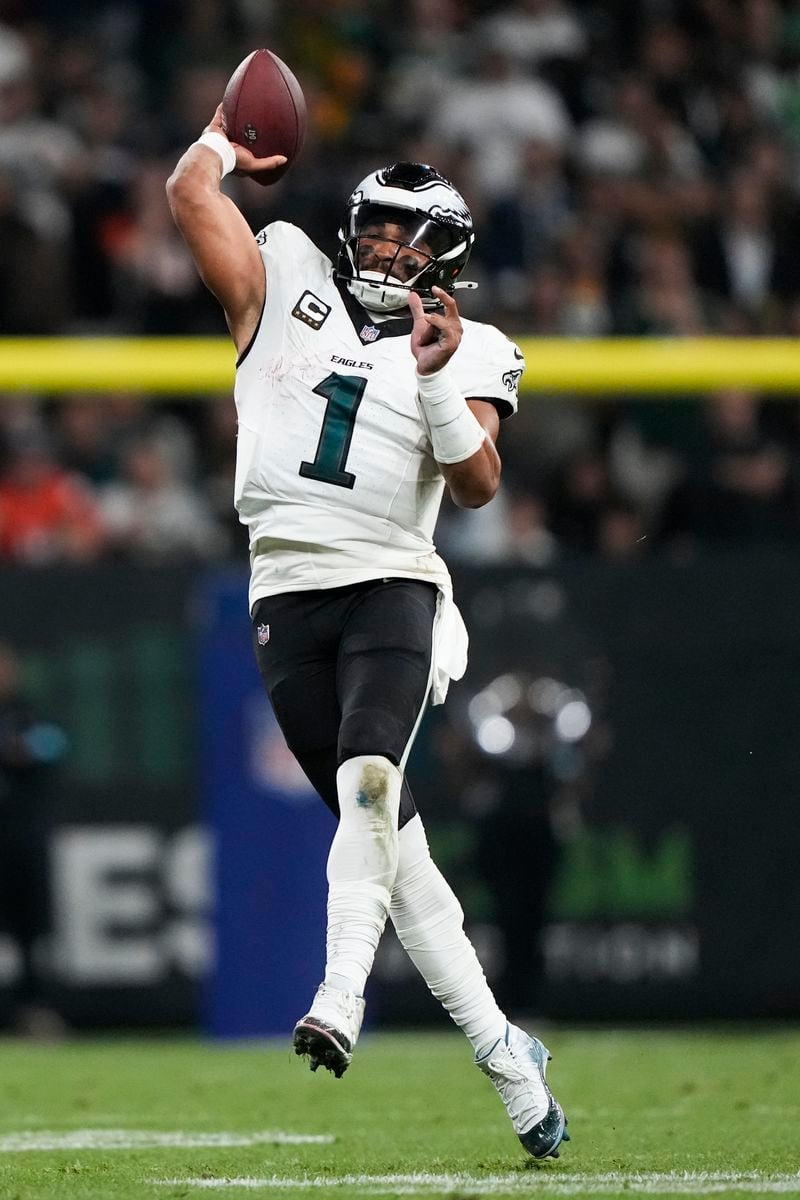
(360, 395)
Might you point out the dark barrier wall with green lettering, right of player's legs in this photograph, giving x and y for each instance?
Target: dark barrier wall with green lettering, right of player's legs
(639, 860)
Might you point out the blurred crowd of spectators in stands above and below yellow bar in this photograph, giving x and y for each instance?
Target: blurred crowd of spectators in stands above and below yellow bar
(633, 166)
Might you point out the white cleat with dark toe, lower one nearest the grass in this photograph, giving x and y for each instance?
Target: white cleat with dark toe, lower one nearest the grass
(518, 1065)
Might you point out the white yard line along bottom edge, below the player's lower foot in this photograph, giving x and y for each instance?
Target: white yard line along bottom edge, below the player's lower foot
(522, 1184)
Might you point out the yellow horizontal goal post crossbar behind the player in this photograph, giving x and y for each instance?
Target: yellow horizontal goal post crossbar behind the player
(189, 367)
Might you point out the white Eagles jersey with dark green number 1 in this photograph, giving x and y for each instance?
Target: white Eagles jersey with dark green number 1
(335, 475)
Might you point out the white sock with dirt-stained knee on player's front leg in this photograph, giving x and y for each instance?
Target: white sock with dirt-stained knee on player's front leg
(362, 868)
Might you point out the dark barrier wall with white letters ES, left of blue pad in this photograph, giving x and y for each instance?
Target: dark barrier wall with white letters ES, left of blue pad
(113, 827)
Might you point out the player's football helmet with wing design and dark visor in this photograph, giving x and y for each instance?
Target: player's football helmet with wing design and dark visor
(425, 215)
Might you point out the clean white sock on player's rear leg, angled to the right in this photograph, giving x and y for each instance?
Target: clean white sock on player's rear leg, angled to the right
(429, 922)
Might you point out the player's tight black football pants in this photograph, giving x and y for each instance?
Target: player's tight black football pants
(348, 671)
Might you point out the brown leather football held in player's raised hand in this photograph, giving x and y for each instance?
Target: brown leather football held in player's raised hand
(264, 110)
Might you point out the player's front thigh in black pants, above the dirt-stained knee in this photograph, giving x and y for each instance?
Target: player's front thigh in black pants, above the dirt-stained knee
(384, 668)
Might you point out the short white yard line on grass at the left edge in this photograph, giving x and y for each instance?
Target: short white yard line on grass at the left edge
(151, 1139)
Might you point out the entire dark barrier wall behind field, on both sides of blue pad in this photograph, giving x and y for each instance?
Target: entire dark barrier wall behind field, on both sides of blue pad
(612, 790)
